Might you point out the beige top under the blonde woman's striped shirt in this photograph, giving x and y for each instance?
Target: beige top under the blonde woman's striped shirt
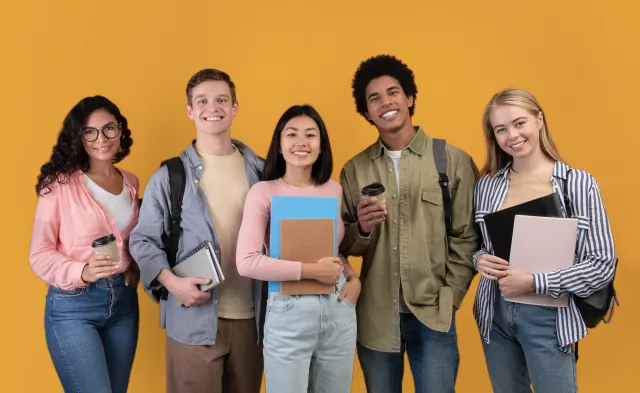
(524, 189)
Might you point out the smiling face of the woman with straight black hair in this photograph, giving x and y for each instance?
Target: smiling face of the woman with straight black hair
(300, 142)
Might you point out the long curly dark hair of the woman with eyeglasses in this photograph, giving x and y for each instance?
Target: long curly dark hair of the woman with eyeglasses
(69, 155)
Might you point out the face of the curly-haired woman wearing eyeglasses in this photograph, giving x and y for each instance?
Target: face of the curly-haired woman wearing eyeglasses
(98, 146)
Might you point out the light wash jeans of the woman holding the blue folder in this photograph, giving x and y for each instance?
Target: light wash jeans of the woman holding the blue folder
(309, 343)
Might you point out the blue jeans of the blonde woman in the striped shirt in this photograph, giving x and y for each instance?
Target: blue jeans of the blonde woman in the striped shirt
(524, 348)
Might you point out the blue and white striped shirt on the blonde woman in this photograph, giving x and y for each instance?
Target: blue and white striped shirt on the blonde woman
(595, 260)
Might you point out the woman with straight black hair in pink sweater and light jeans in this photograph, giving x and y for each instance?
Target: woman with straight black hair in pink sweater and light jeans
(309, 340)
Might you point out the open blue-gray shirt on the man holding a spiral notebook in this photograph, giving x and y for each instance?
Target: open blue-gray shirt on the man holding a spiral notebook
(188, 325)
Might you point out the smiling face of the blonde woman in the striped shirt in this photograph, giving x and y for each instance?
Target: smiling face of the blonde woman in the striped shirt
(517, 130)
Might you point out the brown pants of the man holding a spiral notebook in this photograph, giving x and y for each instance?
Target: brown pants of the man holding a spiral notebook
(233, 365)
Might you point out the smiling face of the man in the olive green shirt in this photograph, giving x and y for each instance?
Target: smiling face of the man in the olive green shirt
(387, 105)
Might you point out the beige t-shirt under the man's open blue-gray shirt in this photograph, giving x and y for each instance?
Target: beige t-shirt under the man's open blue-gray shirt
(224, 182)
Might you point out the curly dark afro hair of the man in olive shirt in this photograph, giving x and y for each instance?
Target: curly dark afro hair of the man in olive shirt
(375, 67)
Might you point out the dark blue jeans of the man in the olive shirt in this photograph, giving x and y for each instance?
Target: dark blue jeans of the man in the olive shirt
(433, 358)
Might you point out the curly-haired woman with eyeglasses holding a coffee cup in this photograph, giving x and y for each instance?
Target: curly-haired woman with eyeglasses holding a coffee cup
(86, 209)
